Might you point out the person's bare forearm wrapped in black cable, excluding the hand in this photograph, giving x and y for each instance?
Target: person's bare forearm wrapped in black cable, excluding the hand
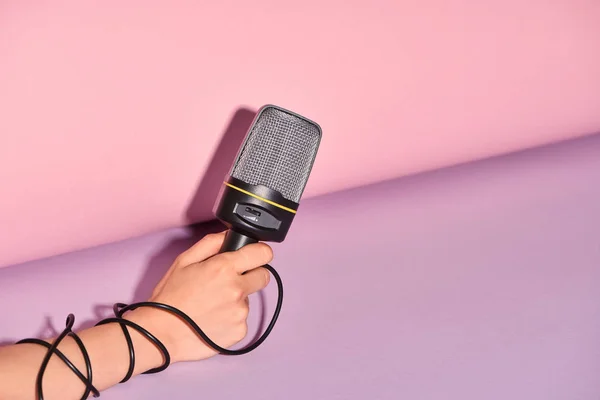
(108, 352)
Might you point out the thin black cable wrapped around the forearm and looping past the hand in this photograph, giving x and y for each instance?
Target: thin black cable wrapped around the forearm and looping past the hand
(120, 309)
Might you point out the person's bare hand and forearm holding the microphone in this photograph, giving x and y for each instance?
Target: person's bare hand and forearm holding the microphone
(207, 286)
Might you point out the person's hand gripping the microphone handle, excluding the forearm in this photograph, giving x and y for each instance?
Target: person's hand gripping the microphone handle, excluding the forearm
(210, 289)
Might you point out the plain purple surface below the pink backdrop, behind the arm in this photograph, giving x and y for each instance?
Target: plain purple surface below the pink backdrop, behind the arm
(474, 282)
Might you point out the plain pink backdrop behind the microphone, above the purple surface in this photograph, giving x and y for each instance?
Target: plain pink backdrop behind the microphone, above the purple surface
(110, 112)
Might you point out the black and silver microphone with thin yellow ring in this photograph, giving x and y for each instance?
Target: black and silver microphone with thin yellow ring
(260, 196)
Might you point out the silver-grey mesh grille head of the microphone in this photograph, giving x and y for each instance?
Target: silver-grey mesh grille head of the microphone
(279, 152)
